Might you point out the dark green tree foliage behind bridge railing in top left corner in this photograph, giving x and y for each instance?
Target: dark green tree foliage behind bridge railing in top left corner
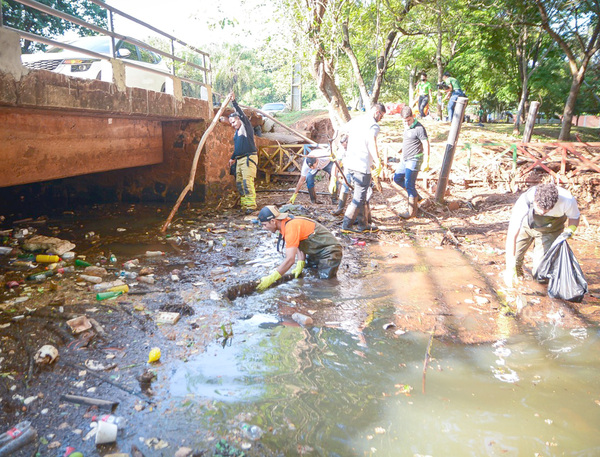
(22, 17)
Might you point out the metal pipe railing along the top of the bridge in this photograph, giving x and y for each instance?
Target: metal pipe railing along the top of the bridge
(205, 68)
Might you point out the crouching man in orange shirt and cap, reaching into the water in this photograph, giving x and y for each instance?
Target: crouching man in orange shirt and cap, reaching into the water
(304, 239)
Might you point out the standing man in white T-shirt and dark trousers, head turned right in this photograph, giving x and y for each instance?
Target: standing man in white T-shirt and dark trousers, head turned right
(361, 155)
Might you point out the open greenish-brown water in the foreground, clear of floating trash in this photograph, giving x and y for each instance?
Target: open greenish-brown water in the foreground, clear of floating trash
(352, 385)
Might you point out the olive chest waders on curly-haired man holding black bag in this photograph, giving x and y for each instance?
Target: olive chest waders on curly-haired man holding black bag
(540, 230)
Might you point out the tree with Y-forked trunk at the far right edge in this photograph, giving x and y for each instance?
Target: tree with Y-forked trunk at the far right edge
(575, 26)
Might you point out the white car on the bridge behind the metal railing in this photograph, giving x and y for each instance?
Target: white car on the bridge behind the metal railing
(79, 65)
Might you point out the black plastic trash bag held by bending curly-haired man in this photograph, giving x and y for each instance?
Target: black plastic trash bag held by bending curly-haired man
(560, 267)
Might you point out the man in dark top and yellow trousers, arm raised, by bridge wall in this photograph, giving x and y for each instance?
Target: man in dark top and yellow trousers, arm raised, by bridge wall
(244, 156)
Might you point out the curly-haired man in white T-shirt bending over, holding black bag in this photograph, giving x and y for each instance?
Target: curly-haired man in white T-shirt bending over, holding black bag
(538, 217)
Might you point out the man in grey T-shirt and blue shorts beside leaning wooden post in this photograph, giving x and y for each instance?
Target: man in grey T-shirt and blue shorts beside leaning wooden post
(415, 153)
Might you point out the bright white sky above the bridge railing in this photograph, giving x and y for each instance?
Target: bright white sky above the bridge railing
(198, 22)
